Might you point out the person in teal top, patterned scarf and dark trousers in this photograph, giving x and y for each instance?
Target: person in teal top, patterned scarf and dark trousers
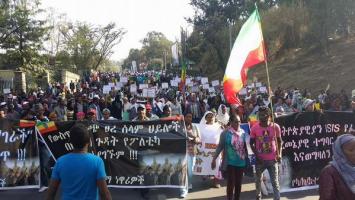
(232, 143)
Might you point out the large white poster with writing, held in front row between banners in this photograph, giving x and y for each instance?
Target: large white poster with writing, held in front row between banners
(210, 139)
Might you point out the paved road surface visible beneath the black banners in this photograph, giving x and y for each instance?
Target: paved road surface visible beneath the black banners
(201, 191)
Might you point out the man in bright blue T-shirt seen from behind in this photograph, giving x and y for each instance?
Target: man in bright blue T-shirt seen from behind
(81, 175)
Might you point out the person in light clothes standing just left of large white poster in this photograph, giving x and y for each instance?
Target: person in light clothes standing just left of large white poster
(194, 138)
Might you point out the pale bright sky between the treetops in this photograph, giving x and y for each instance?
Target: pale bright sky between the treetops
(137, 17)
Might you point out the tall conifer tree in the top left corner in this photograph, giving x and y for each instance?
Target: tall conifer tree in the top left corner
(23, 34)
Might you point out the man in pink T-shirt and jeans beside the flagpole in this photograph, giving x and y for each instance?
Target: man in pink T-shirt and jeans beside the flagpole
(265, 141)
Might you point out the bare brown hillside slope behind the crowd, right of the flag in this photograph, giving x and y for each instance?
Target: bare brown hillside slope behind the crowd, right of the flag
(307, 68)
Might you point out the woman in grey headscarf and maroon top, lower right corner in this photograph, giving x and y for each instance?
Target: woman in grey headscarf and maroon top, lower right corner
(337, 180)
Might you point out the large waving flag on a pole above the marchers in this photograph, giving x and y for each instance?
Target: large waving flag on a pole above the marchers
(248, 50)
